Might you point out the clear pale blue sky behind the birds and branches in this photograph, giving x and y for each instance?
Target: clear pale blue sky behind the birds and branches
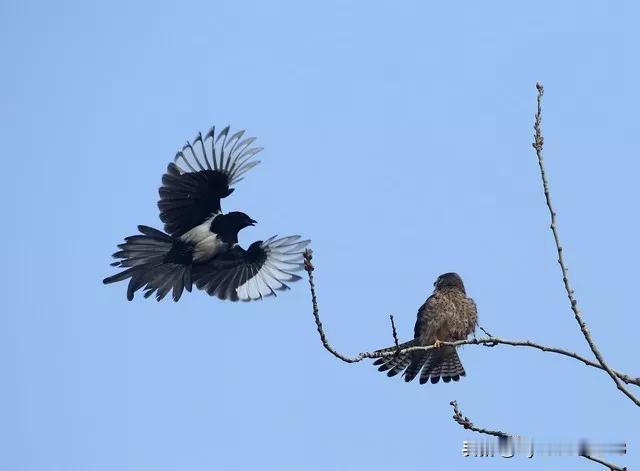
(397, 137)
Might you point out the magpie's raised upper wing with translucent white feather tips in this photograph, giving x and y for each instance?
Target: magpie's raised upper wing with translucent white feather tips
(201, 175)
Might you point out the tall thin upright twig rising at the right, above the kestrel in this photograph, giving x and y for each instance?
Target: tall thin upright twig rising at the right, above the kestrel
(538, 146)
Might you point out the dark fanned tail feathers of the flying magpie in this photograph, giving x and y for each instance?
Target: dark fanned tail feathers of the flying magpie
(155, 262)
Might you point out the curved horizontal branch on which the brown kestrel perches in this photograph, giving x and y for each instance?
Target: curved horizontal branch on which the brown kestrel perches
(487, 342)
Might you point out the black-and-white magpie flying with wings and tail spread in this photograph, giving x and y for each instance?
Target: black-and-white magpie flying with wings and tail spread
(201, 243)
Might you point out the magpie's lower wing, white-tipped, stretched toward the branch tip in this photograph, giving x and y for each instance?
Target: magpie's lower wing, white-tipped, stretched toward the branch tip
(255, 273)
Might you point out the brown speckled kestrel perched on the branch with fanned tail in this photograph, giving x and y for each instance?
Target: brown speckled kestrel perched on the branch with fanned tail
(446, 316)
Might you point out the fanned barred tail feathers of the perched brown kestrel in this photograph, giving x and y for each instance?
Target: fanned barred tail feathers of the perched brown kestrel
(436, 363)
